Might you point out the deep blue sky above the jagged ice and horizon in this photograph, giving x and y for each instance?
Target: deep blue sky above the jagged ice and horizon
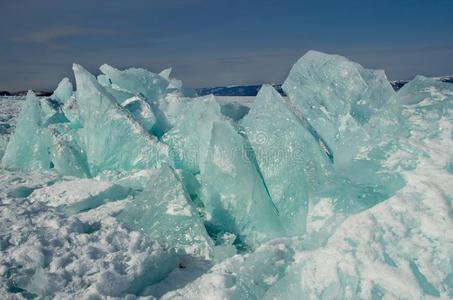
(215, 43)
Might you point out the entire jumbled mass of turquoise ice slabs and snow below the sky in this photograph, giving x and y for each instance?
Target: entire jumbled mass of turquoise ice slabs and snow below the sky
(131, 186)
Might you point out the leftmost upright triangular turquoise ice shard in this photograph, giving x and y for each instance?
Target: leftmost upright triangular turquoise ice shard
(27, 149)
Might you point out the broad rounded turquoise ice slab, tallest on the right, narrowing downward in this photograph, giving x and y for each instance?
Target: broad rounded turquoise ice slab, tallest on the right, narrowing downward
(336, 96)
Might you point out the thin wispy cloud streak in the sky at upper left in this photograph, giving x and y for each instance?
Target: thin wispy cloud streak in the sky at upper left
(51, 35)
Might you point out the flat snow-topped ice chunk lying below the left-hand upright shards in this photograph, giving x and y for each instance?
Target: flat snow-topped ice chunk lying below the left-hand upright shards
(79, 195)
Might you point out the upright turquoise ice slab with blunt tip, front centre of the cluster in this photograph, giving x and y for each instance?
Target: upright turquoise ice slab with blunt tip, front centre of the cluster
(234, 194)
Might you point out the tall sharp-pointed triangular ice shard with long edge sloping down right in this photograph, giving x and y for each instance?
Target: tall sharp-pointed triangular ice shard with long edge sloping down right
(113, 140)
